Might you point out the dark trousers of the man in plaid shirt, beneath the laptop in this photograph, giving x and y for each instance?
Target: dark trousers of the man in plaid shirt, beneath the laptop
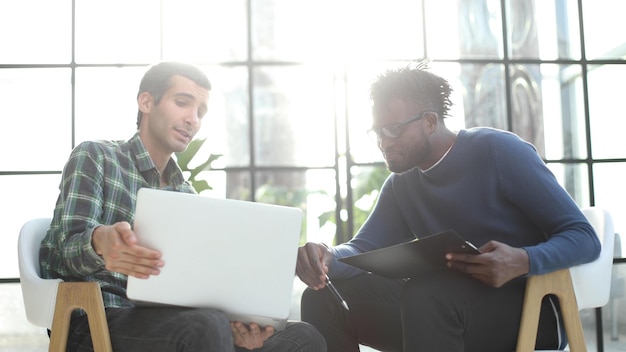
(185, 329)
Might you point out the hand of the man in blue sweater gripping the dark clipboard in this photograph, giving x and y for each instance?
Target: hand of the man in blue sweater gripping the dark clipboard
(497, 264)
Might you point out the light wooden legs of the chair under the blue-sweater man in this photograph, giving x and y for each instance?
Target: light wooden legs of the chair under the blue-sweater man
(558, 283)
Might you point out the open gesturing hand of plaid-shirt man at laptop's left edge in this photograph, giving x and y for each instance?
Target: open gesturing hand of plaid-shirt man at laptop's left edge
(117, 245)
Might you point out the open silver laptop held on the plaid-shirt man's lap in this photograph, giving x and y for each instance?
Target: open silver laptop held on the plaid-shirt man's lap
(236, 256)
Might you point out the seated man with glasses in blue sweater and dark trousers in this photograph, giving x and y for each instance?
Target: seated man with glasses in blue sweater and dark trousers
(489, 185)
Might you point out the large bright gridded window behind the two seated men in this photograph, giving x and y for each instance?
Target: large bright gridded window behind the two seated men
(289, 108)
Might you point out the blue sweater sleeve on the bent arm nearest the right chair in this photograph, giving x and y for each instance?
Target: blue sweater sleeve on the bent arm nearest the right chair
(530, 185)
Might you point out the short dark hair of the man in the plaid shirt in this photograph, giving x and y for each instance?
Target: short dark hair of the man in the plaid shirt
(157, 80)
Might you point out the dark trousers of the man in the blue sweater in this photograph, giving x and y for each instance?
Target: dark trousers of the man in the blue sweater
(443, 311)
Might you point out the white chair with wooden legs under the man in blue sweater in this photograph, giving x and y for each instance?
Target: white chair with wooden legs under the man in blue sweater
(583, 286)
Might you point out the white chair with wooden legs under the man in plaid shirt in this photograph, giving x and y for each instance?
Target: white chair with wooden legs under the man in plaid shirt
(49, 303)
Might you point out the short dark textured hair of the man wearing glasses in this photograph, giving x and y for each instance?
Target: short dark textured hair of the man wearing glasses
(413, 84)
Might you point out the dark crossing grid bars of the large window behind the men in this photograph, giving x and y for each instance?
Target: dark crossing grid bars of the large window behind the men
(344, 187)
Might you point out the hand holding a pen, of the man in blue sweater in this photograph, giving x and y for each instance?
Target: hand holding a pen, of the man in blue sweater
(312, 265)
